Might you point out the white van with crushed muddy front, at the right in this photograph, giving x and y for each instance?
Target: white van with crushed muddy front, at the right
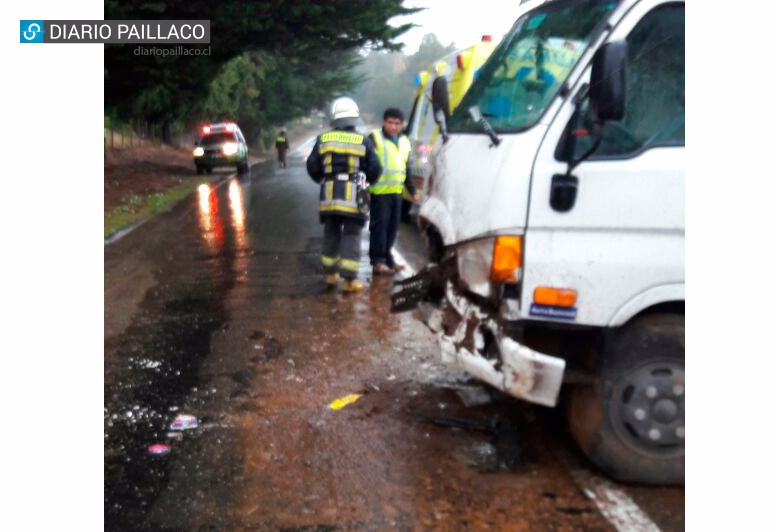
(554, 217)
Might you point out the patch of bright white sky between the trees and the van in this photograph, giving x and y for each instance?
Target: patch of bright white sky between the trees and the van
(460, 21)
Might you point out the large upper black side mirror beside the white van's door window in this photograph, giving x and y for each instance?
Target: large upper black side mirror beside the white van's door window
(607, 91)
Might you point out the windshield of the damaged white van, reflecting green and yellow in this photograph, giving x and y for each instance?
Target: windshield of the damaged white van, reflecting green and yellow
(527, 69)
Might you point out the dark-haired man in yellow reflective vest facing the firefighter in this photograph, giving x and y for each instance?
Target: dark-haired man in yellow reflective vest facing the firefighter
(394, 151)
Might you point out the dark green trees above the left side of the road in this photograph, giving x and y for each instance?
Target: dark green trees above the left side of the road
(269, 62)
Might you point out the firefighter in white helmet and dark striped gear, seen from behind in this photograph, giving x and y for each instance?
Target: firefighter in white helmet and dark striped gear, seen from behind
(338, 161)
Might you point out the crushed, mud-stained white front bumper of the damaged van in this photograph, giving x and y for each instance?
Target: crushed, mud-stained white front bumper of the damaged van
(473, 340)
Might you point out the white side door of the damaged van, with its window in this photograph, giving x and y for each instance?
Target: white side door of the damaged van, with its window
(624, 234)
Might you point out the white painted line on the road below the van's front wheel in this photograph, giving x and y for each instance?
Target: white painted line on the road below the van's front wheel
(614, 505)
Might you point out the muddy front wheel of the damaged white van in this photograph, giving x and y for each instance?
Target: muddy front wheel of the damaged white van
(631, 422)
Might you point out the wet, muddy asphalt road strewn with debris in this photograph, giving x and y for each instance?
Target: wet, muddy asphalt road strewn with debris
(216, 309)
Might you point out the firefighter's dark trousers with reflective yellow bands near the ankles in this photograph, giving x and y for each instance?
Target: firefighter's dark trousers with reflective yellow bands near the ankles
(341, 245)
